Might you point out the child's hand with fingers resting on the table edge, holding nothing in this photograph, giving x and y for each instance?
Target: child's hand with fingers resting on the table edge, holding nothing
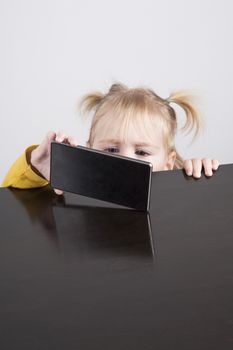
(194, 166)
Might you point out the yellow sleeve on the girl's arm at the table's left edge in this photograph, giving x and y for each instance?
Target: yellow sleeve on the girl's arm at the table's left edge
(21, 174)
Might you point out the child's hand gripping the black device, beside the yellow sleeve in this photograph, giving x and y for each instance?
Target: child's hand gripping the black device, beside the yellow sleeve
(40, 156)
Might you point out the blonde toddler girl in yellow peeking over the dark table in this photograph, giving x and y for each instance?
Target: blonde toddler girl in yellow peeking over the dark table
(133, 122)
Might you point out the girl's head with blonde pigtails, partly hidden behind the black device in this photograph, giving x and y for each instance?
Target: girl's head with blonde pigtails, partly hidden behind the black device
(137, 123)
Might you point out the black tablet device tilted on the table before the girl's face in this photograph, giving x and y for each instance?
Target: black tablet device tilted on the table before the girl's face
(101, 175)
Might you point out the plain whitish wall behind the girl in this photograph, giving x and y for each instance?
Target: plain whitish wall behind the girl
(54, 51)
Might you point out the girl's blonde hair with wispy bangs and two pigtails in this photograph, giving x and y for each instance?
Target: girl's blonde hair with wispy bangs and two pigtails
(139, 103)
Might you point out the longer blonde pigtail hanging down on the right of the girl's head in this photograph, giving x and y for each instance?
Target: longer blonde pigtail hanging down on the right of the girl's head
(193, 117)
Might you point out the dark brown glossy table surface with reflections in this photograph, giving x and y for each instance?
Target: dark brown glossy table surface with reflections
(78, 273)
